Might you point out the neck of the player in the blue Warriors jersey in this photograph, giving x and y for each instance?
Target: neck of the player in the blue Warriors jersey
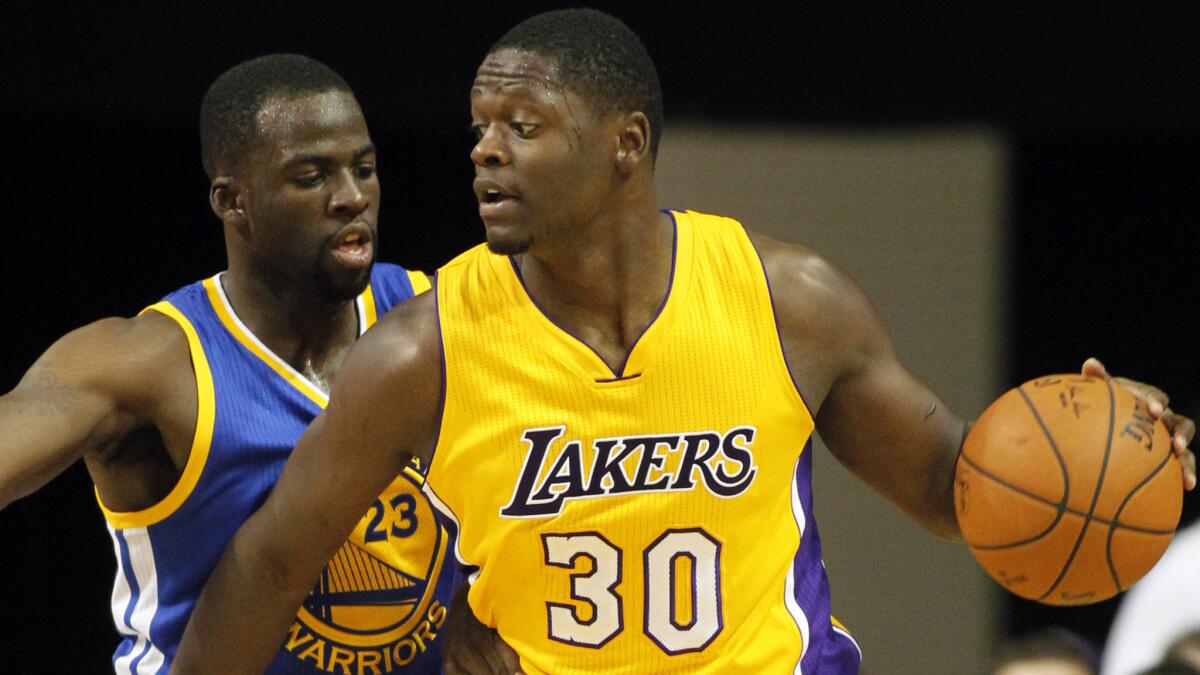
(310, 333)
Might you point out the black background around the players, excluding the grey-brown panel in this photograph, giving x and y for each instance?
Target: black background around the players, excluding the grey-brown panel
(106, 201)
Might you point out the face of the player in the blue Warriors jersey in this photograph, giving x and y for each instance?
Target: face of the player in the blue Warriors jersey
(311, 195)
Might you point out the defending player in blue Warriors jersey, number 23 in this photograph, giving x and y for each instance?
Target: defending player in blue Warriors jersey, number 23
(187, 414)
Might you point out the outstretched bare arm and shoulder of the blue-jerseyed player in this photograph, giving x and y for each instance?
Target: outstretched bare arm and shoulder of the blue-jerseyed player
(86, 395)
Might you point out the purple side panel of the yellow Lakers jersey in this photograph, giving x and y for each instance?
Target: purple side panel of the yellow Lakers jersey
(830, 653)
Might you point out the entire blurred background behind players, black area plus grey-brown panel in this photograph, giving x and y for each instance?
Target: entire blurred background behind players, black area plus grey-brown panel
(1015, 184)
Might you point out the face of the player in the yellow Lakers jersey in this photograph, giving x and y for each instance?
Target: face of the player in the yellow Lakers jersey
(543, 154)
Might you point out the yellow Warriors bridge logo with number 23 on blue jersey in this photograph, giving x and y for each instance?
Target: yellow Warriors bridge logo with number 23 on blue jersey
(375, 610)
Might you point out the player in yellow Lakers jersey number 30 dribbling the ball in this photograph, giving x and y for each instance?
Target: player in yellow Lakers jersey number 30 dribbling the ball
(617, 404)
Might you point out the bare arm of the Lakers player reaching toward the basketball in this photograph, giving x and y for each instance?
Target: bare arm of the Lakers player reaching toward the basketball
(884, 425)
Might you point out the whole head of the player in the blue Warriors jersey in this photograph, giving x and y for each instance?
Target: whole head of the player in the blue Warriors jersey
(293, 174)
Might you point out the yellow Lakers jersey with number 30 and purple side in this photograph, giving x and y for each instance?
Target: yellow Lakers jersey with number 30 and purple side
(657, 519)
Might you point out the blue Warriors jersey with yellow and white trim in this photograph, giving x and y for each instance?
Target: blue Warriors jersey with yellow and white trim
(380, 604)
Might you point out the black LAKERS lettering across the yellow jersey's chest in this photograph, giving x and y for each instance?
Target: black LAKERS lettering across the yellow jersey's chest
(557, 470)
